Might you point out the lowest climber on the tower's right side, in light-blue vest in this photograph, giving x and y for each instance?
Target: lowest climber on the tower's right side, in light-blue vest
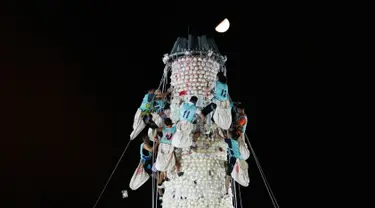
(233, 155)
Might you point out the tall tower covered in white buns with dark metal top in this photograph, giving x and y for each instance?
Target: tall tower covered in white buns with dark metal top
(193, 65)
